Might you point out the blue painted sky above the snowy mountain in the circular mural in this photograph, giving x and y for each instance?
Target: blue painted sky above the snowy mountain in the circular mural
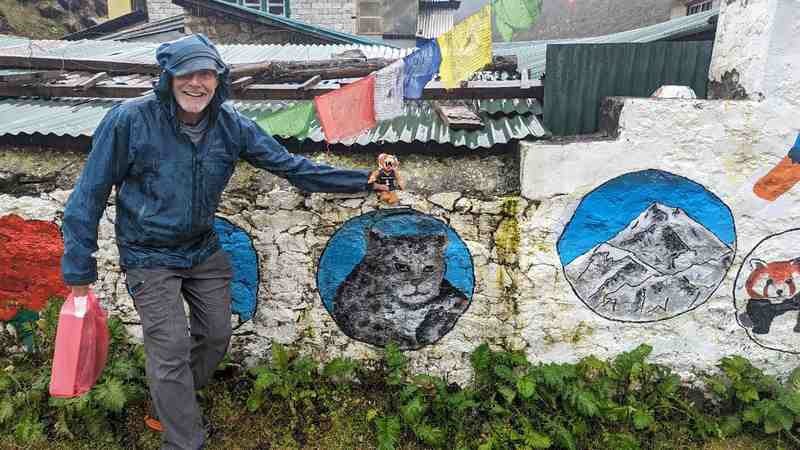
(609, 208)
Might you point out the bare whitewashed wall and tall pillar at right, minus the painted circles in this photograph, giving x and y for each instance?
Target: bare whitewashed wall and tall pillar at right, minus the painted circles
(724, 145)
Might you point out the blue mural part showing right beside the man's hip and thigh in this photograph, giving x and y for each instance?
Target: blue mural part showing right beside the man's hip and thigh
(244, 285)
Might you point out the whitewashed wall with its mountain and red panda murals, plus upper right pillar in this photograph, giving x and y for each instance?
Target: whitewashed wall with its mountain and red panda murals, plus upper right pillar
(730, 162)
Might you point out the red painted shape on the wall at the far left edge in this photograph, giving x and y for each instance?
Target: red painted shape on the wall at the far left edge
(30, 264)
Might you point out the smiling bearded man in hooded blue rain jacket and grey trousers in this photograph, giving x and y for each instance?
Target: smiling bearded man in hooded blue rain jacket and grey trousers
(169, 155)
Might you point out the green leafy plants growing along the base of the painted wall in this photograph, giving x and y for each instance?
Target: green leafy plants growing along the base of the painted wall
(294, 402)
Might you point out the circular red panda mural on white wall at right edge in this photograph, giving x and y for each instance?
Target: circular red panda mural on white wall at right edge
(766, 292)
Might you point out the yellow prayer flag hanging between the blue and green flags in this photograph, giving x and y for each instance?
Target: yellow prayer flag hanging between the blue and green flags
(467, 48)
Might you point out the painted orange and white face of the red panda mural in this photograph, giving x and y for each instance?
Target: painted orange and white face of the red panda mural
(773, 280)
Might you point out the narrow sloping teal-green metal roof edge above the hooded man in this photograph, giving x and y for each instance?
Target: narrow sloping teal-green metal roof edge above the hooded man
(326, 34)
